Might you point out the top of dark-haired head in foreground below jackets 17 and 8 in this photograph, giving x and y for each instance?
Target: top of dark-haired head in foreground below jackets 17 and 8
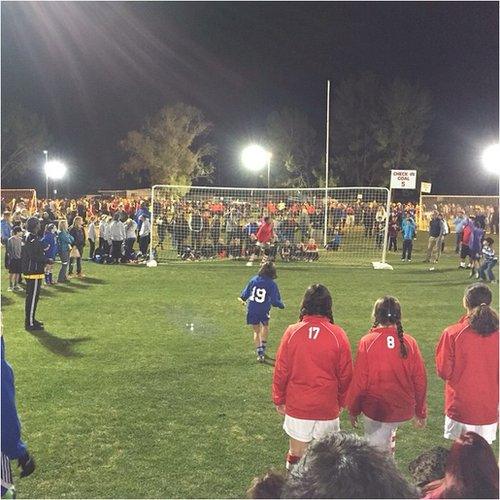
(343, 465)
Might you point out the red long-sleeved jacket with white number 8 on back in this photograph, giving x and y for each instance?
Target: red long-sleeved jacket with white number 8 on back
(387, 387)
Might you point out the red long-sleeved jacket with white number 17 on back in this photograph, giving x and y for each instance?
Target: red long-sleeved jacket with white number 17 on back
(313, 369)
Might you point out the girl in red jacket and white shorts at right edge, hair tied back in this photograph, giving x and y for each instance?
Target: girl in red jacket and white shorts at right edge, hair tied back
(467, 360)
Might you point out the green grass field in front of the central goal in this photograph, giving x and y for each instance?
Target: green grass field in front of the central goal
(119, 399)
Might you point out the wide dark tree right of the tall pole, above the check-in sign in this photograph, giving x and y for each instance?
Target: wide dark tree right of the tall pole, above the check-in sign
(376, 127)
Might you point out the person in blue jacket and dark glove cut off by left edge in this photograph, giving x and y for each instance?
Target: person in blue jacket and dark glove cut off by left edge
(13, 447)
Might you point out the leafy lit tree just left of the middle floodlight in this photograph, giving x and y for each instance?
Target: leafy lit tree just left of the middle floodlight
(170, 148)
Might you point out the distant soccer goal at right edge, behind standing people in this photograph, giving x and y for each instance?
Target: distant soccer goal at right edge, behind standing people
(451, 205)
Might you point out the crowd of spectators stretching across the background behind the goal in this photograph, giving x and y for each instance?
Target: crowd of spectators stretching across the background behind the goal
(119, 230)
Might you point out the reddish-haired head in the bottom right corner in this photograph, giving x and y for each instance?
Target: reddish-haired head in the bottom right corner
(471, 471)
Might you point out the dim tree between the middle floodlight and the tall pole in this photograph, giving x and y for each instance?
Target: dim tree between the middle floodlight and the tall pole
(295, 149)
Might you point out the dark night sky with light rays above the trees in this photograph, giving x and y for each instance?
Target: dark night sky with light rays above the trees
(94, 70)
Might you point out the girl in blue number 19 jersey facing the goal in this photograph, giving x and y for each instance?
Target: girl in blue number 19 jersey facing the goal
(260, 294)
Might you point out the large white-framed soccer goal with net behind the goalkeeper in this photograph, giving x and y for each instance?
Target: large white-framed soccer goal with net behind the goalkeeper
(346, 225)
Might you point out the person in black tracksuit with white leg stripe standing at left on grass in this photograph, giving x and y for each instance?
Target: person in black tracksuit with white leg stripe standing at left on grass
(33, 267)
